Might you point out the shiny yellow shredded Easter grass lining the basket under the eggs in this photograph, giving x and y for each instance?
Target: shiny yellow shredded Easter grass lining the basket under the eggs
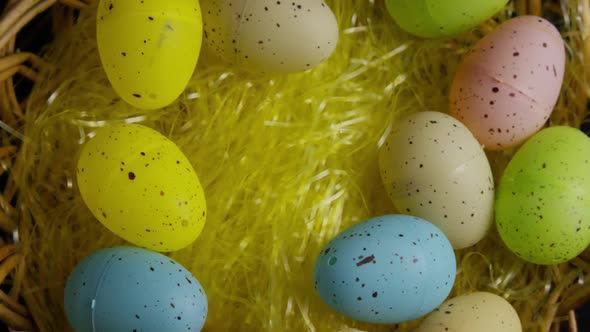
(287, 162)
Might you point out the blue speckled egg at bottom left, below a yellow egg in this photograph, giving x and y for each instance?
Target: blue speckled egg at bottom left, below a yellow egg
(133, 289)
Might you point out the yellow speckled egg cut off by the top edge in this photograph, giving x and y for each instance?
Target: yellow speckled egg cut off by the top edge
(149, 49)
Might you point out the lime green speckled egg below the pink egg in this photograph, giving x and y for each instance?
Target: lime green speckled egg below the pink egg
(543, 203)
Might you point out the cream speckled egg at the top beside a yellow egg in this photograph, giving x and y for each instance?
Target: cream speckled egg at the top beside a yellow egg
(270, 36)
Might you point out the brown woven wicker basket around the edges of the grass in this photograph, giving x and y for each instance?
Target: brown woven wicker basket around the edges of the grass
(20, 68)
